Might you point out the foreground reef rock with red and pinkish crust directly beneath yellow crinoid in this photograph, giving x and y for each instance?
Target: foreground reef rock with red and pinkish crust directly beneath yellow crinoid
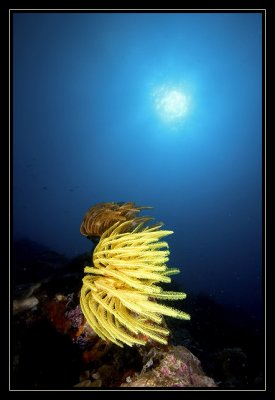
(55, 348)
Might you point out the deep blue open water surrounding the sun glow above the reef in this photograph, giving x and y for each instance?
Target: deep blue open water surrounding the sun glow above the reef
(86, 131)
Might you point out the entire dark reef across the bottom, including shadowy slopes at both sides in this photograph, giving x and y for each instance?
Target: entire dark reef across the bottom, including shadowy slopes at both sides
(53, 346)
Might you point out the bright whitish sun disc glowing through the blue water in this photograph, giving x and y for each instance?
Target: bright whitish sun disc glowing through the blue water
(171, 103)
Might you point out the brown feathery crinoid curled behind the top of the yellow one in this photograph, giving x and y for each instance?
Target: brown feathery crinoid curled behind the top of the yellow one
(102, 216)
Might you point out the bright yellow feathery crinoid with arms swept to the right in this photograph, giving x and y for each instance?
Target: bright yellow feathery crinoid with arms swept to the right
(119, 292)
